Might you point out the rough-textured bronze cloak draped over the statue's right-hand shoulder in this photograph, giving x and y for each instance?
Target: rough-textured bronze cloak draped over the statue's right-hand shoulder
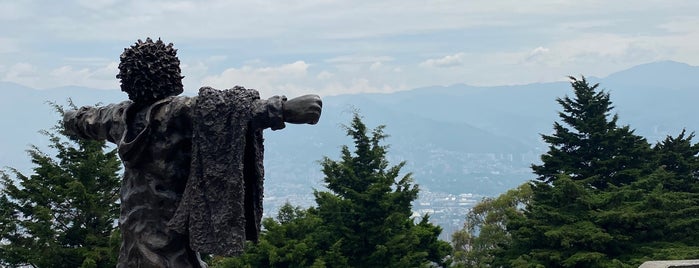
(222, 203)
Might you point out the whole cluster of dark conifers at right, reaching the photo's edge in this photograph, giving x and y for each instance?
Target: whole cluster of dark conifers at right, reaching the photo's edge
(603, 196)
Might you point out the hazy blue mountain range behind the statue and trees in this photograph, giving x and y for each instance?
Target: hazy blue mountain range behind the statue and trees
(456, 139)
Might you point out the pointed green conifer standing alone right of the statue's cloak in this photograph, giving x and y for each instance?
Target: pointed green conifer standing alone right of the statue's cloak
(369, 207)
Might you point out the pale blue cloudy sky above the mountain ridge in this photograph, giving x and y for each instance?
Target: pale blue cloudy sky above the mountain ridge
(331, 47)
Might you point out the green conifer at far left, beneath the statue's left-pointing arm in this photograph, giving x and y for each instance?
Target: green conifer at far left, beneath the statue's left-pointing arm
(64, 214)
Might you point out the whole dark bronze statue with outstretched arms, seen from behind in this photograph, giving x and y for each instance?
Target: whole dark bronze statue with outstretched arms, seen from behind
(192, 165)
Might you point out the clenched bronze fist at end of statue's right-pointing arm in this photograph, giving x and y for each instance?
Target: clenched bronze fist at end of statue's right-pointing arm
(303, 110)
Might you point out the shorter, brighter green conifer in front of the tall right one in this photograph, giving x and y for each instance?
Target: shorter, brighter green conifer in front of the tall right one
(558, 229)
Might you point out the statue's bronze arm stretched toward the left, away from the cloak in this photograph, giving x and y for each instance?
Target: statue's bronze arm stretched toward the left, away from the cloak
(96, 123)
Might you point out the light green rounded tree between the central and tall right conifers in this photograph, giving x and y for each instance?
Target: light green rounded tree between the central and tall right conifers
(484, 232)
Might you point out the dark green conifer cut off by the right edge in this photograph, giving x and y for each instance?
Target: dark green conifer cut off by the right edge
(658, 214)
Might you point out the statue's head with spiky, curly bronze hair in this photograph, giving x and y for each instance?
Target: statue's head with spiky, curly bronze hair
(150, 71)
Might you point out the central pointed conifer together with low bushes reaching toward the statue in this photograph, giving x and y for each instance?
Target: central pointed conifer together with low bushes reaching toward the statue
(364, 220)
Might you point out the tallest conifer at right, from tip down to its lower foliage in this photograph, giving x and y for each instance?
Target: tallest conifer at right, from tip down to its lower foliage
(572, 221)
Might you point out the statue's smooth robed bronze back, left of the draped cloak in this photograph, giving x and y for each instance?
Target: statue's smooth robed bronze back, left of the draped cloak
(155, 148)
